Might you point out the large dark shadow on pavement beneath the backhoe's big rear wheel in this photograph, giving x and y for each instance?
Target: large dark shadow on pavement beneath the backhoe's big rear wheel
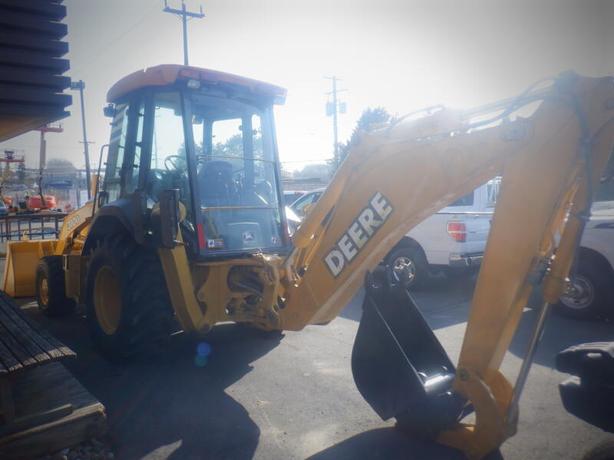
(166, 406)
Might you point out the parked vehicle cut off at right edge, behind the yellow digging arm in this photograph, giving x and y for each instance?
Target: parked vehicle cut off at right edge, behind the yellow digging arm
(590, 291)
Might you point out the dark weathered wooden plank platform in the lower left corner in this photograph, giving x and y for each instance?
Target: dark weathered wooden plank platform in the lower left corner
(43, 408)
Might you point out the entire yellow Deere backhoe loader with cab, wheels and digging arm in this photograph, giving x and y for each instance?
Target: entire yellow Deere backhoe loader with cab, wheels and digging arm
(188, 226)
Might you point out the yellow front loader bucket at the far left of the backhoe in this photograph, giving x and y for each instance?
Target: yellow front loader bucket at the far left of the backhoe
(20, 266)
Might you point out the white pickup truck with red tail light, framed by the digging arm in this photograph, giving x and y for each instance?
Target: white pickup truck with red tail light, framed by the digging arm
(452, 239)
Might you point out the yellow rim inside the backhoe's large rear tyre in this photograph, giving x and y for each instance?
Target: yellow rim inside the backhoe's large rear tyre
(107, 300)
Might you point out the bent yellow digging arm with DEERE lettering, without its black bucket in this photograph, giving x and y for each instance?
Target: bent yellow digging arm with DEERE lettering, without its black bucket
(396, 177)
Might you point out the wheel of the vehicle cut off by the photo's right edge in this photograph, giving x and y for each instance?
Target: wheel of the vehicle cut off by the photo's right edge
(590, 290)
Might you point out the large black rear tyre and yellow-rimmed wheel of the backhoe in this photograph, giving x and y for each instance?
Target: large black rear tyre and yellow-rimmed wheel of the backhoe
(127, 303)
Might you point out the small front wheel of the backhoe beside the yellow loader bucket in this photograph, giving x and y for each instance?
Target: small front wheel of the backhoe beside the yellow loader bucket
(50, 287)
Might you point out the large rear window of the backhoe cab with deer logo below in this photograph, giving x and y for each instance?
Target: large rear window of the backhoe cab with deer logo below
(236, 175)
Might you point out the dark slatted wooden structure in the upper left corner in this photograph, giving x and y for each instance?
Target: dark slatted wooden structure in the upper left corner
(32, 66)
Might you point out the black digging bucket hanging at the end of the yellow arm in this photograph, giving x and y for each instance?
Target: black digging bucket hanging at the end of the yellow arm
(399, 366)
